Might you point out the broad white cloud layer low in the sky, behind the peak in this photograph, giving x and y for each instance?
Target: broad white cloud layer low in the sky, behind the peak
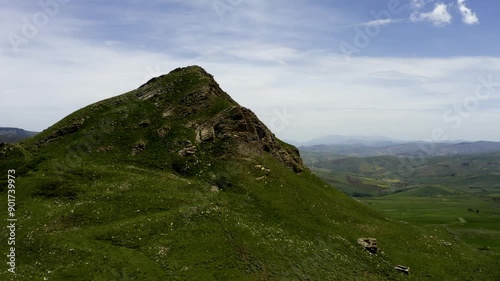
(397, 97)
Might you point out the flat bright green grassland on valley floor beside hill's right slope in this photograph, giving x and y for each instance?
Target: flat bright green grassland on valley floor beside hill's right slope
(480, 230)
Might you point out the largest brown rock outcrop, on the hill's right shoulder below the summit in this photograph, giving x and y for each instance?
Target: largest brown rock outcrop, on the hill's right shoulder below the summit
(252, 135)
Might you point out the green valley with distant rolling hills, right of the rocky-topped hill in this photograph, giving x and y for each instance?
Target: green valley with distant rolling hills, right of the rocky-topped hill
(459, 192)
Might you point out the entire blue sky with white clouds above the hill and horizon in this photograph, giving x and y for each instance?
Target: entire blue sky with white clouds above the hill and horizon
(403, 69)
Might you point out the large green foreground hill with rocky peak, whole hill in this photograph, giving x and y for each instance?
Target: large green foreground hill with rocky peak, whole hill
(176, 181)
